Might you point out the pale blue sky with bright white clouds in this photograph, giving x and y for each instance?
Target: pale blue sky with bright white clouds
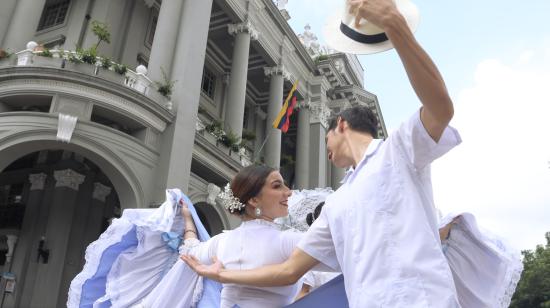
(495, 59)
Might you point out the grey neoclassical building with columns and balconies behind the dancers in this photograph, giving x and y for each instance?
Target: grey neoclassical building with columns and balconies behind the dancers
(81, 139)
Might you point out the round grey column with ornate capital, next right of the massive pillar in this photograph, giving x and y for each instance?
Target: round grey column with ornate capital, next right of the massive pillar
(243, 32)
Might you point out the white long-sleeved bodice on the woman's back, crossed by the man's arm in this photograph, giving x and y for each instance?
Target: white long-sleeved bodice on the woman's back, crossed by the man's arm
(253, 244)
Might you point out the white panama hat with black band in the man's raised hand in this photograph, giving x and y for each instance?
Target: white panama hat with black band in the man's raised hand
(342, 35)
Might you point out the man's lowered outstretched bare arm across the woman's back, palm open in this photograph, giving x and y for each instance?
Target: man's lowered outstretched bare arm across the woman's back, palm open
(282, 274)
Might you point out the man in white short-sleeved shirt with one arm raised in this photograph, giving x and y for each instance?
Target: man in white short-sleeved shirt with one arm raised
(379, 228)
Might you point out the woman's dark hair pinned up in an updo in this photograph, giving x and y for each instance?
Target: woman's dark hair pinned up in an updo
(248, 183)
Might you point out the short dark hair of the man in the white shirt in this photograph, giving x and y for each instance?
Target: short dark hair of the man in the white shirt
(359, 118)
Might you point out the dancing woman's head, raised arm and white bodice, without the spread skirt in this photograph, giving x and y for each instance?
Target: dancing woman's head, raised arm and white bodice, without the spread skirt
(257, 195)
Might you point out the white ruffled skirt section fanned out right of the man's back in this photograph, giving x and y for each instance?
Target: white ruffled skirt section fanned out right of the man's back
(485, 269)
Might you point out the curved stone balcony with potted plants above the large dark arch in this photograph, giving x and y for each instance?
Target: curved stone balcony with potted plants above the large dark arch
(35, 82)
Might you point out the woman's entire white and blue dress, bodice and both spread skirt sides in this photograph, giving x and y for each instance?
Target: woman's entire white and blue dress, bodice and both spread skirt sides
(135, 263)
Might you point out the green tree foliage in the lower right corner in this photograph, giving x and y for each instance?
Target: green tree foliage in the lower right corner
(533, 289)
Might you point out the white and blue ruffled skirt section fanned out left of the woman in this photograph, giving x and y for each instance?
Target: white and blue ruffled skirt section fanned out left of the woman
(135, 255)
